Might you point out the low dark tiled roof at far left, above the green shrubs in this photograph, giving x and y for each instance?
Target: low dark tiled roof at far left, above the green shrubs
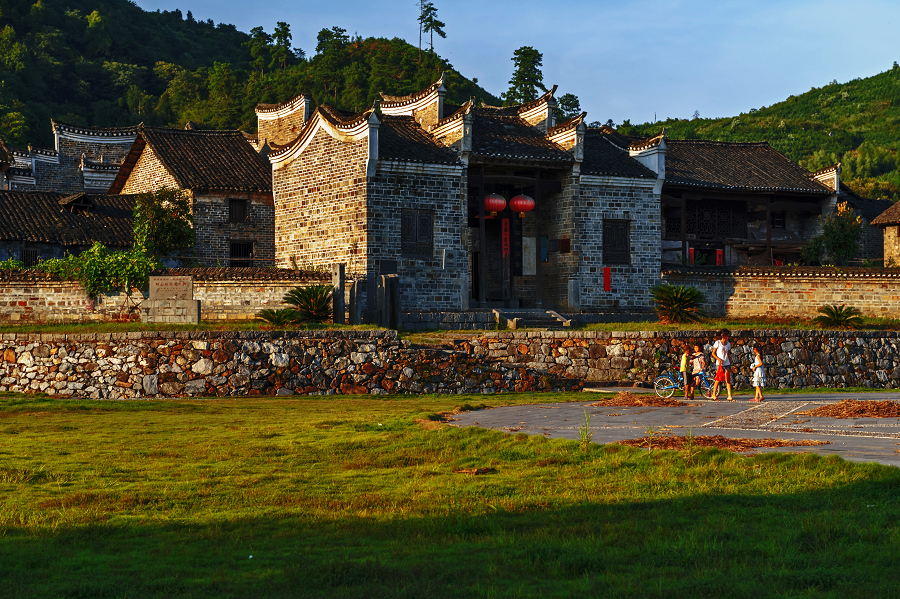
(34, 216)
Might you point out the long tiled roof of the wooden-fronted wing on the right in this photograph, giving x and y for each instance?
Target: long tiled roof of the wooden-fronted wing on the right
(736, 166)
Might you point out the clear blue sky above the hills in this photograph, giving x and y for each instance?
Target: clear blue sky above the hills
(638, 60)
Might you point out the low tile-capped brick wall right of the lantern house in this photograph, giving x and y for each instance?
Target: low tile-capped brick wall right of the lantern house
(790, 291)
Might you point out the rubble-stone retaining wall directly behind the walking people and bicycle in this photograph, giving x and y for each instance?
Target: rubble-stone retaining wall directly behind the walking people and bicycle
(793, 359)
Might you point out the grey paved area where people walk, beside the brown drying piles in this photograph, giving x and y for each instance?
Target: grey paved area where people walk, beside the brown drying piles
(855, 439)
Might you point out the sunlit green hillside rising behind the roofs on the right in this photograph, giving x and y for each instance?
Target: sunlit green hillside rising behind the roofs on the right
(856, 123)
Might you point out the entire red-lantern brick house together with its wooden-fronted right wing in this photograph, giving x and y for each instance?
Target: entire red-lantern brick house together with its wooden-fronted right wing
(399, 188)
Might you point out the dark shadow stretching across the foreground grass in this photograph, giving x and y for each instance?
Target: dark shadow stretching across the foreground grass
(842, 542)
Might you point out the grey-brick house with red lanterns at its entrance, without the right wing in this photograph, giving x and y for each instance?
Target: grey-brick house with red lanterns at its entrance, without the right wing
(399, 188)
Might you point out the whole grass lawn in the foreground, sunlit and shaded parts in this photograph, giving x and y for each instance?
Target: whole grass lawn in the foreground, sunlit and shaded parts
(352, 497)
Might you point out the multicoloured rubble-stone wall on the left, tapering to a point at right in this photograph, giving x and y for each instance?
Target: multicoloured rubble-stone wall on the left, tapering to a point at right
(238, 363)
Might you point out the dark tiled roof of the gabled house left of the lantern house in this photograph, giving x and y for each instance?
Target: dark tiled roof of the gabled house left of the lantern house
(202, 160)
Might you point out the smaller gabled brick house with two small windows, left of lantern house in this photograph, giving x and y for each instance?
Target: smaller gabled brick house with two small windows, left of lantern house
(229, 183)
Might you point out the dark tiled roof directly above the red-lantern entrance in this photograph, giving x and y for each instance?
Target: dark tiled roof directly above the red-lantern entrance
(500, 134)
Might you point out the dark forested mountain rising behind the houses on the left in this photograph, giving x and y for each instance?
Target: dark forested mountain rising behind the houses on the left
(109, 63)
